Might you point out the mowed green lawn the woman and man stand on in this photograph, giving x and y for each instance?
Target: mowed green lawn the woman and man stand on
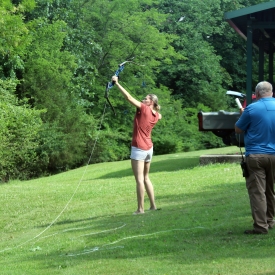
(81, 222)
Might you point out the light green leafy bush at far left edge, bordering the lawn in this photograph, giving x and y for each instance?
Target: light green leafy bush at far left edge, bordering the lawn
(19, 132)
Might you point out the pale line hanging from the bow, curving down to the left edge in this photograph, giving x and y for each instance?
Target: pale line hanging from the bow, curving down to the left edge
(69, 201)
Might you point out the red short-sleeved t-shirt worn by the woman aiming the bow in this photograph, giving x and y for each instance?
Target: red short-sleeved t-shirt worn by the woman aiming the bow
(144, 122)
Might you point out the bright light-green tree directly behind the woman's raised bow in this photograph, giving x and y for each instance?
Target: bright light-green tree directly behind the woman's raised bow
(125, 30)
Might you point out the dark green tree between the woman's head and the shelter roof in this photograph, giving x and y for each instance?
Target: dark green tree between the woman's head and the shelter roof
(198, 77)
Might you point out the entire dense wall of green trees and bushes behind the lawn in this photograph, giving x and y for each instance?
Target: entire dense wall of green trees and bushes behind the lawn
(58, 56)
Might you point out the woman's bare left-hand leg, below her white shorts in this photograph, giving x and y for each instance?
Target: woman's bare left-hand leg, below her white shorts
(138, 169)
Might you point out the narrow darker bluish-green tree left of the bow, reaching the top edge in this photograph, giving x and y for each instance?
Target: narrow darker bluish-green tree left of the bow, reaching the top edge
(78, 40)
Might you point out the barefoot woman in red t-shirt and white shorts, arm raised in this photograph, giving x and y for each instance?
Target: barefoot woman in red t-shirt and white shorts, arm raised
(142, 147)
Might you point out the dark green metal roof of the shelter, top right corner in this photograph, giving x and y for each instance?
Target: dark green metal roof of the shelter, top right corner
(261, 18)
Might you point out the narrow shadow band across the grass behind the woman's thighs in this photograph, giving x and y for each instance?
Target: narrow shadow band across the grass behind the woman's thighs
(167, 165)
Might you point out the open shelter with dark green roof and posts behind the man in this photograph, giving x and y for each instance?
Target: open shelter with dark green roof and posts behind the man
(256, 24)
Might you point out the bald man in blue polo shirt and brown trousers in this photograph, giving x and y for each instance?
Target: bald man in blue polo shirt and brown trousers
(257, 121)
